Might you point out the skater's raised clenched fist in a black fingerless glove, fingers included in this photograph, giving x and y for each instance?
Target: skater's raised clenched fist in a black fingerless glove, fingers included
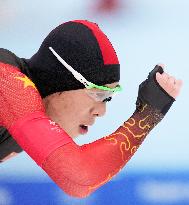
(159, 90)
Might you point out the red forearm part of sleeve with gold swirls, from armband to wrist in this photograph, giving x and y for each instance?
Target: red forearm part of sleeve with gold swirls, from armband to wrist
(80, 170)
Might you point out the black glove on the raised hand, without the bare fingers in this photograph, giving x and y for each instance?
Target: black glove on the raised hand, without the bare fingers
(151, 93)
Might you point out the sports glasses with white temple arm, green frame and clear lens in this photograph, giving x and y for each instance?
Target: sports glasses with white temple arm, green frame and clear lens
(103, 93)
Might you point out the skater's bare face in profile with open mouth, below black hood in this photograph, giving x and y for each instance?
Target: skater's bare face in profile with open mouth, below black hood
(76, 110)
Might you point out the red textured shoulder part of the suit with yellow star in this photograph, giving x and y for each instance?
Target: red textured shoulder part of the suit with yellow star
(18, 96)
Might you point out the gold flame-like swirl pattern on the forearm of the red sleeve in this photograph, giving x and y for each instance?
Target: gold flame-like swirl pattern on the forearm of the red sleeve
(128, 139)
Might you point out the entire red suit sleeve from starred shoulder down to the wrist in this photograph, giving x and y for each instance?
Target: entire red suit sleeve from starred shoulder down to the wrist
(78, 170)
